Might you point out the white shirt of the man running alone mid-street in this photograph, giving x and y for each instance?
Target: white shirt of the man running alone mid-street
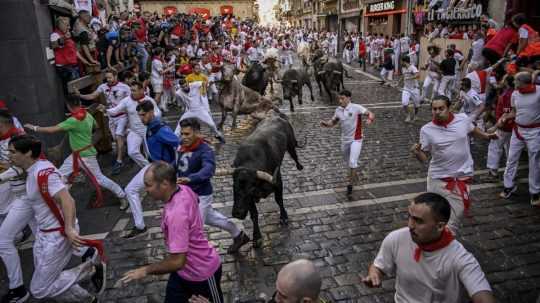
(350, 118)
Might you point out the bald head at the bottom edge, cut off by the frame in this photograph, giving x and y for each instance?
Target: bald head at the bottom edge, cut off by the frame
(300, 280)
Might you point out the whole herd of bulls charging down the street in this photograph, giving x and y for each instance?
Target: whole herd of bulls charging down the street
(256, 169)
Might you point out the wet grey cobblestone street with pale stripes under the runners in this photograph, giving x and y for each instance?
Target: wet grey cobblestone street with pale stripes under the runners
(342, 237)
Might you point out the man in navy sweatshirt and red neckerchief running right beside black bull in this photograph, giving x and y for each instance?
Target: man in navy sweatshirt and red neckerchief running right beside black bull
(195, 167)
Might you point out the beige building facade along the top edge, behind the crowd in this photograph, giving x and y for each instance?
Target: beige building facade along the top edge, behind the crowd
(240, 8)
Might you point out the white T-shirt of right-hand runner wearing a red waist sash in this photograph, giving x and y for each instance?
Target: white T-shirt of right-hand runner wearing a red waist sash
(449, 148)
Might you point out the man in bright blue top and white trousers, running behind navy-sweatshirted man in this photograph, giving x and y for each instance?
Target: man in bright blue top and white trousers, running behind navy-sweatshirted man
(162, 143)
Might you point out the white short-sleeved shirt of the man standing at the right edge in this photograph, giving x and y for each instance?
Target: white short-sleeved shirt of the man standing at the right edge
(527, 107)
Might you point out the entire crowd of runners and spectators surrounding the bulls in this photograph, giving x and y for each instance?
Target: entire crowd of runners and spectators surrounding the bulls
(153, 62)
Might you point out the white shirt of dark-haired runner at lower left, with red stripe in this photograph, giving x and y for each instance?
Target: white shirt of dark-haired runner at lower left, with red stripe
(44, 217)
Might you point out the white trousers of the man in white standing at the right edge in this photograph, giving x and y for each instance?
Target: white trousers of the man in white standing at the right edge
(531, 141)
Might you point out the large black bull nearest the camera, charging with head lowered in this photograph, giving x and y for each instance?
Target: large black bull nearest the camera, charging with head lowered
(257, 169)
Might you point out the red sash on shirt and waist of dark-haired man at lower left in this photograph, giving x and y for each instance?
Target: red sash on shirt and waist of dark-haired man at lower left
(43, 184)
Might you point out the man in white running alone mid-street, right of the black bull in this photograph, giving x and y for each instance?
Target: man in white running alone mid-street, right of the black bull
(349, 115)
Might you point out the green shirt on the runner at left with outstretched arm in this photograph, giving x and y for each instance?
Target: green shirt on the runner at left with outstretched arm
(80, 134)
